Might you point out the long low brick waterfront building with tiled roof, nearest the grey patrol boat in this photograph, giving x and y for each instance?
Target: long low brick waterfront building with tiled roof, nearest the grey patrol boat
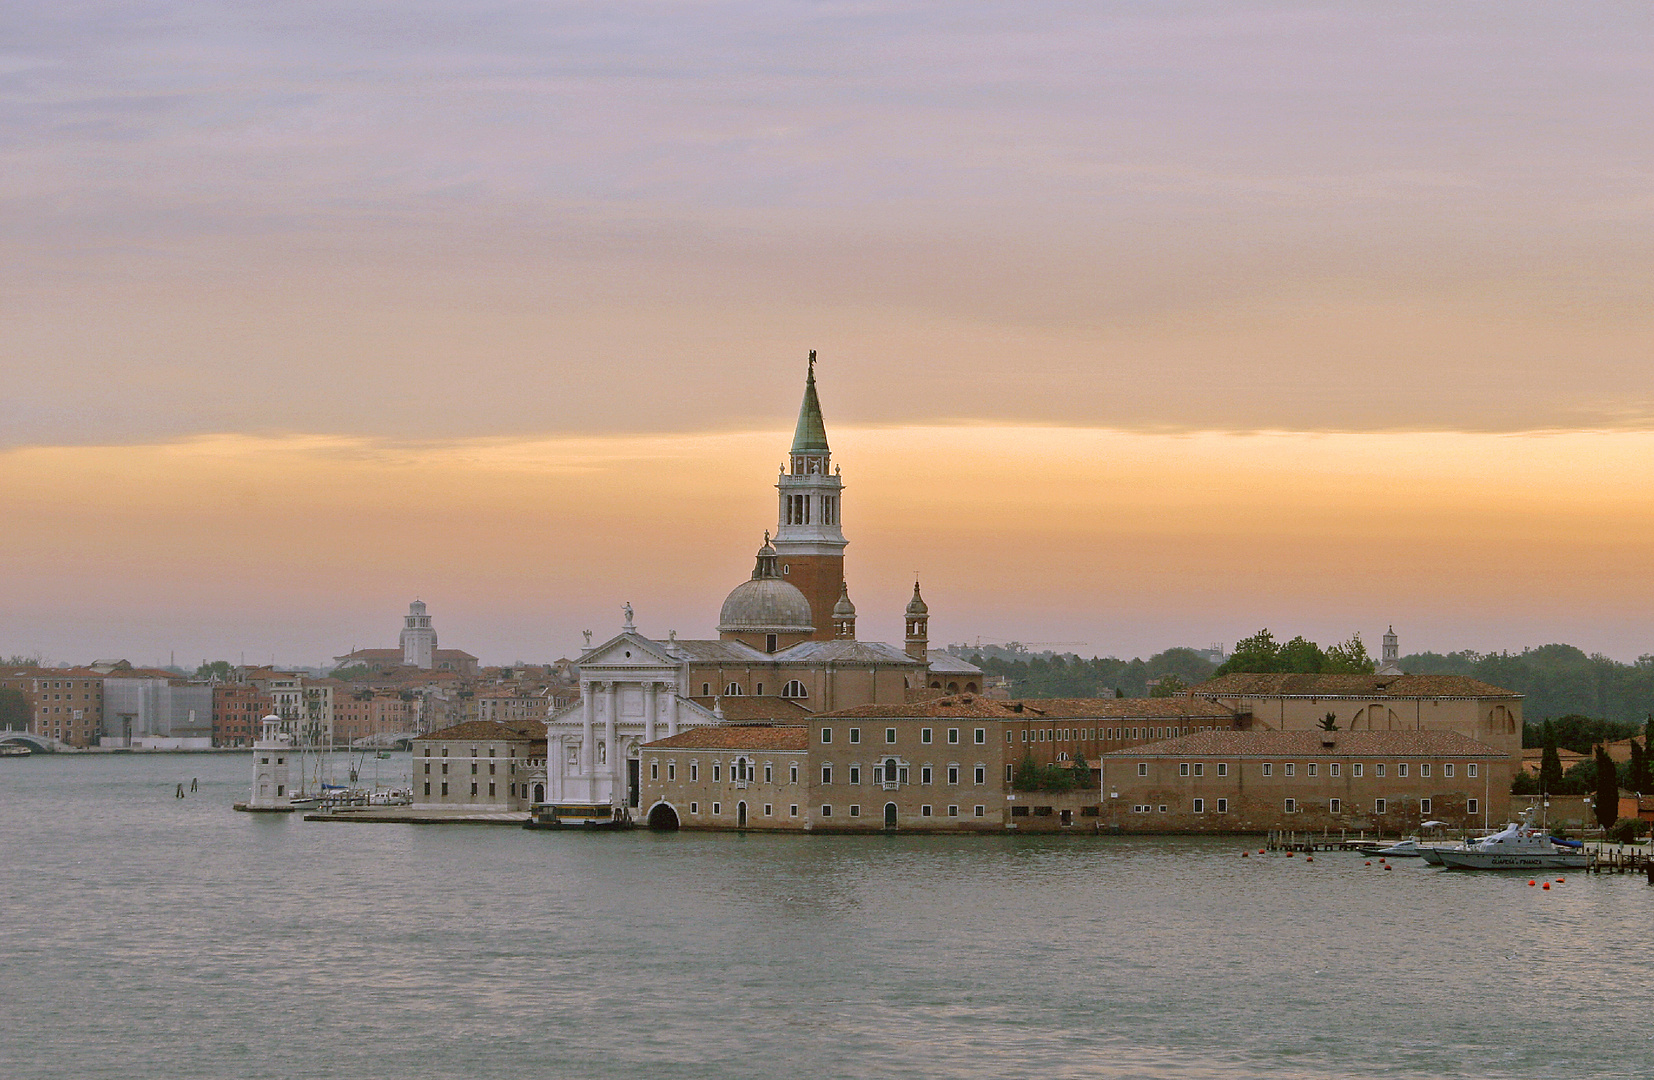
(1255, 781)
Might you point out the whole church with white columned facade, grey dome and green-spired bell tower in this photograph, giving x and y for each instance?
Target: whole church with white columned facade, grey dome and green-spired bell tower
(786, 646)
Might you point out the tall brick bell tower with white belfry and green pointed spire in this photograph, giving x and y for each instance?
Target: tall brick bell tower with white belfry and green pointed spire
(810, 543)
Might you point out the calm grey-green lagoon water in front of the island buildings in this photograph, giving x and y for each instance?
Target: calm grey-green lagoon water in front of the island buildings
(153, 937)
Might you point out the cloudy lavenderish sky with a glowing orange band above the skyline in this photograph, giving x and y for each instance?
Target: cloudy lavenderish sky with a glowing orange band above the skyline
(1140, 325)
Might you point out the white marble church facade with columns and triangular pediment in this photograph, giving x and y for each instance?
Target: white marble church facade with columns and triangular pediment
(629, 695)
